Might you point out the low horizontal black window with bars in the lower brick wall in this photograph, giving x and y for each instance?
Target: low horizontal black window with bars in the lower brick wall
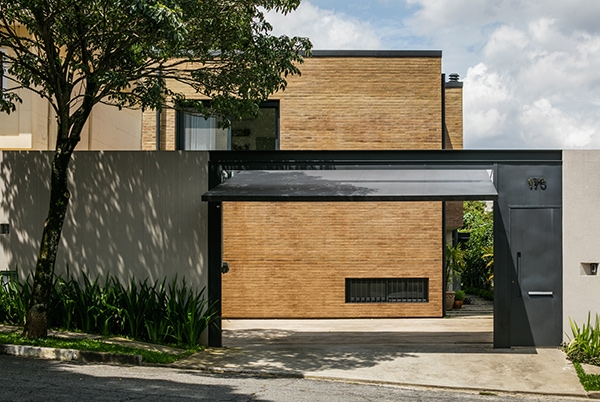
(387, 290)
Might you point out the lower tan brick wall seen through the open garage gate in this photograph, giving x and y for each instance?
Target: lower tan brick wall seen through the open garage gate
(290, 260)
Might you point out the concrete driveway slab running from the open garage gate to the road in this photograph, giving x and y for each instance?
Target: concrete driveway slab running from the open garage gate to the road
(454, 353)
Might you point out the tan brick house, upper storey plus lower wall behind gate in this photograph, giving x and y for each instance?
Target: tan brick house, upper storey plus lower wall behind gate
(344, 100)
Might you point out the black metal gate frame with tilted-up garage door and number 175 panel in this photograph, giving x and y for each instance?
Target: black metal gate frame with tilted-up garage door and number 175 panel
(392, 176)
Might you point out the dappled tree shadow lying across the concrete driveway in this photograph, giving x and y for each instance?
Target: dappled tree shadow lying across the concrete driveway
(300, 352)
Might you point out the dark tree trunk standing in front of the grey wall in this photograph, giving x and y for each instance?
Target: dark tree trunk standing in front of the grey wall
(36, 323)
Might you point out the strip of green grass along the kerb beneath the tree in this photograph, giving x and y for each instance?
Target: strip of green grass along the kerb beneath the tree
(95, 345)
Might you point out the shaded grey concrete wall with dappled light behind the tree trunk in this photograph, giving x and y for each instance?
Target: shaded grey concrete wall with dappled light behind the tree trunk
(133, 214)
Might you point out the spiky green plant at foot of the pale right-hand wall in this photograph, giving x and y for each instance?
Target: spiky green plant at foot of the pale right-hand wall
(584, 347)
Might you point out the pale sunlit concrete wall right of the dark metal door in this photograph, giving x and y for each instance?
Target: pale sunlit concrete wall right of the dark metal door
(581, 235)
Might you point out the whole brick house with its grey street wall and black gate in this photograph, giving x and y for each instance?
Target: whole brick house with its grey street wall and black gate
(336, 202)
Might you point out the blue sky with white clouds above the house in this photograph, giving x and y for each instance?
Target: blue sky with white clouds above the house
(531, 69)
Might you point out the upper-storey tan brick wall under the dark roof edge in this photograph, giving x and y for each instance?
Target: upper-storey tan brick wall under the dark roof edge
(363, 103)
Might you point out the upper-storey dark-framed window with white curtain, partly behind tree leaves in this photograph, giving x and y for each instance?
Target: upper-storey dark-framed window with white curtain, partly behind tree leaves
(195, 132)
